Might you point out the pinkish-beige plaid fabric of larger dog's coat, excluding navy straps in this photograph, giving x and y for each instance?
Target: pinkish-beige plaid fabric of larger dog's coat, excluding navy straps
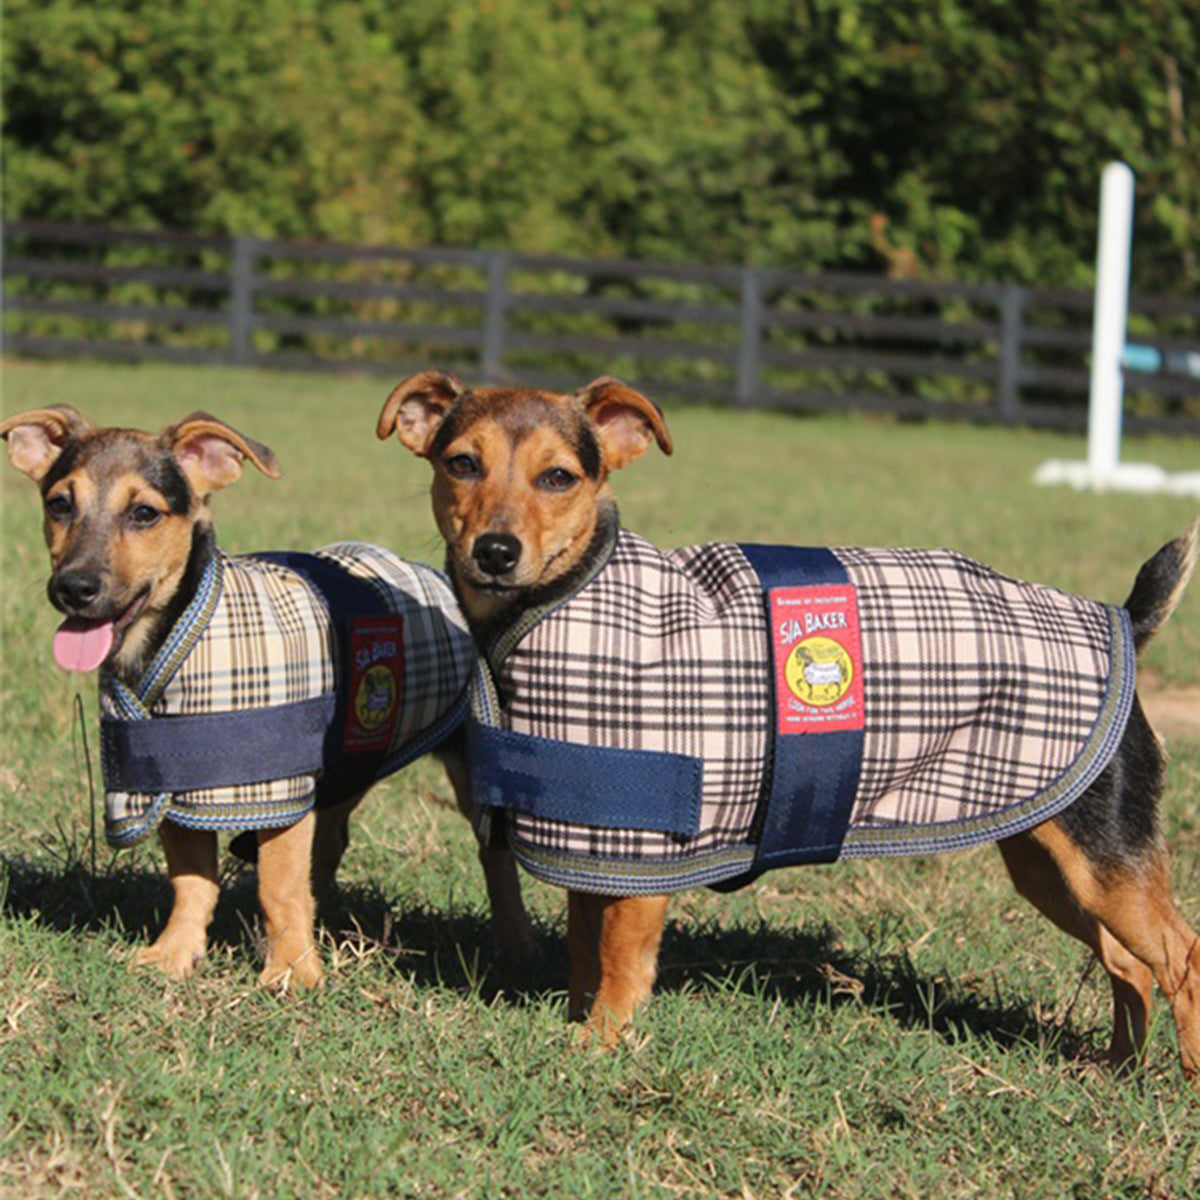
(988, 703)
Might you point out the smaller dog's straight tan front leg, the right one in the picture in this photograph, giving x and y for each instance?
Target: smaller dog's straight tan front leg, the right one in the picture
(285, 891)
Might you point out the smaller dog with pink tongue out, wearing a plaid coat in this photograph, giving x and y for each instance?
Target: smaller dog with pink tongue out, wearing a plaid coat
(133, 550)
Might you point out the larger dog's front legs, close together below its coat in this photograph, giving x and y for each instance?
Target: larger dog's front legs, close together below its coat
(614, 946)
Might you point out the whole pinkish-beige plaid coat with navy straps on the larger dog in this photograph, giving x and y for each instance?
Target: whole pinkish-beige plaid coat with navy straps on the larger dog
(701, 716)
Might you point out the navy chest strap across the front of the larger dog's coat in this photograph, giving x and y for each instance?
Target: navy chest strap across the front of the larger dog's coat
(599, 787)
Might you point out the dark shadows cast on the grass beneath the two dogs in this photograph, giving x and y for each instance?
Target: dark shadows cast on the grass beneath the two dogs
(454, 951)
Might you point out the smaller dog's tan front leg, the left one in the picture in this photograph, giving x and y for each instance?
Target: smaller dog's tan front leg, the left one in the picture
(193, 868)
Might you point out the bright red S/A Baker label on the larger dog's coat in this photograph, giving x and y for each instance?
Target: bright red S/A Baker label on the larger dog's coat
(819, 659)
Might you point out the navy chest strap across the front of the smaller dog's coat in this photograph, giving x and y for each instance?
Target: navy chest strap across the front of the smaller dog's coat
(183, 754)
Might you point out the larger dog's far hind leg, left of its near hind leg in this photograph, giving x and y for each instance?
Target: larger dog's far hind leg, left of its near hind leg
(1037, 878)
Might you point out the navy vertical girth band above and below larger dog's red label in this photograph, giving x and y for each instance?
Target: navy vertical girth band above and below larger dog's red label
(814, 777)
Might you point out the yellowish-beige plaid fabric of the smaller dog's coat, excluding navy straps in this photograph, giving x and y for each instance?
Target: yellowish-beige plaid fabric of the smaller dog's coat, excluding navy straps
(267, 640)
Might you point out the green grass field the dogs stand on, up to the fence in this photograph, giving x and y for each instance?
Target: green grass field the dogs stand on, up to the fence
(907, 1029)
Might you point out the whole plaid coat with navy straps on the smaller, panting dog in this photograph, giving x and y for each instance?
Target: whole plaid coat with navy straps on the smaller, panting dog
(291, 681)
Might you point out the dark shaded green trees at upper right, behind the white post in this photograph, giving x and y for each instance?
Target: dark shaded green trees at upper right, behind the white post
(977, 129)
